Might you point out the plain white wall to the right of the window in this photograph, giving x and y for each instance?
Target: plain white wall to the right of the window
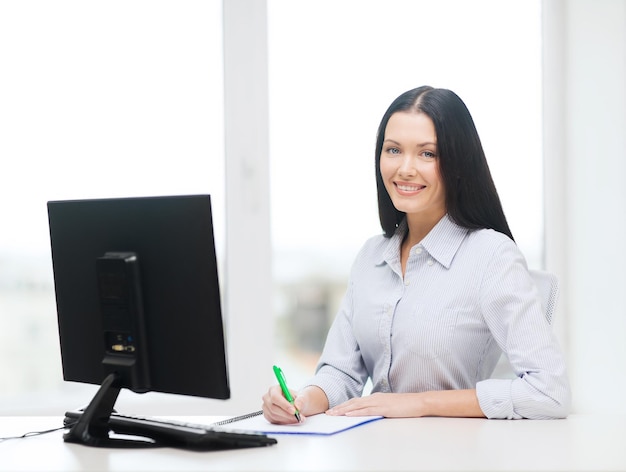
(585, 159)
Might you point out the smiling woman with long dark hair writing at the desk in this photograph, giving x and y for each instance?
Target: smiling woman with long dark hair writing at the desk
(433, 302)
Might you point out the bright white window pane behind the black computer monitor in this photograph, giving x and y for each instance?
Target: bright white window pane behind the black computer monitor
(97, 100)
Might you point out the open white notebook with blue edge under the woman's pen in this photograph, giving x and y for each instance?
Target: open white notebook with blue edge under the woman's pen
(321, 424)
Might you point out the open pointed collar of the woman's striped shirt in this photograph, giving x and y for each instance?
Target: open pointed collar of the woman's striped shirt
(442, 243)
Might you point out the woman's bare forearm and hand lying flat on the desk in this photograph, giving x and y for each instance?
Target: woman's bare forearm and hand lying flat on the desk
(457, 403)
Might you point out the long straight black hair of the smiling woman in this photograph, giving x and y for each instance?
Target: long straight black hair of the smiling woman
(471, 197)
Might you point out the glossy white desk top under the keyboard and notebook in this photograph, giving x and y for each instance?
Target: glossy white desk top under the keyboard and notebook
(581, 442)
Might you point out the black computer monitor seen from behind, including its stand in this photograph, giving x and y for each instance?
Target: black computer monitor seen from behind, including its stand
(138, 300)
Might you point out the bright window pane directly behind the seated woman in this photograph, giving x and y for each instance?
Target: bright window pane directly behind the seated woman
(334, 69)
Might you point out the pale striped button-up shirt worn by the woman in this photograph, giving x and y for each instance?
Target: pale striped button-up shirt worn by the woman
(466, 297)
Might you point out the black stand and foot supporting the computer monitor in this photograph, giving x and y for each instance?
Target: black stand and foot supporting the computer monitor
(92, 428)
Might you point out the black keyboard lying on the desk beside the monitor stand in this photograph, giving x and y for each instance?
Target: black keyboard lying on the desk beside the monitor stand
(179, 434)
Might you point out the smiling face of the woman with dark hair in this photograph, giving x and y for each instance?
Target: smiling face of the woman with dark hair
(409, 165)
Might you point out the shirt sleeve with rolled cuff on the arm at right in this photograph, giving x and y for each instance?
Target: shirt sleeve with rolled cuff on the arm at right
(512, 309)
